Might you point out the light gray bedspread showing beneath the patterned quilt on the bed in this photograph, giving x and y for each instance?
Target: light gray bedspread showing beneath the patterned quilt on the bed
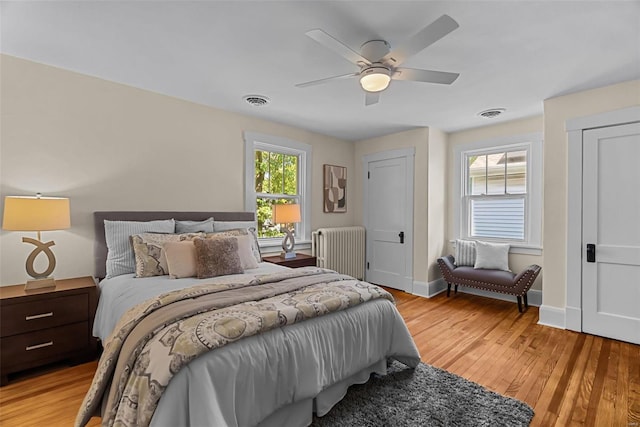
(273, 379)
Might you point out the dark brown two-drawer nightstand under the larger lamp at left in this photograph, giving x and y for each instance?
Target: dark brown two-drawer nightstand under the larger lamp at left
(47, 325)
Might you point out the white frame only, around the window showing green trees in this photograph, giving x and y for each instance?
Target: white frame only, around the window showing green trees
(257, 141)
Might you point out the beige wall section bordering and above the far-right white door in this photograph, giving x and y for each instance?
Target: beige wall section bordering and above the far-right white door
(556, 112)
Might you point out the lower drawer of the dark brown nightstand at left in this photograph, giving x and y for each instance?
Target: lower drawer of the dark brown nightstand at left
(38, 345)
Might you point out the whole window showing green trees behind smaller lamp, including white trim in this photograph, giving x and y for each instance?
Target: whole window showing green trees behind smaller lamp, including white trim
(277, 171)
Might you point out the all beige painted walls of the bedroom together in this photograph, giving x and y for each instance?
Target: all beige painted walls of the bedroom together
(108, 146)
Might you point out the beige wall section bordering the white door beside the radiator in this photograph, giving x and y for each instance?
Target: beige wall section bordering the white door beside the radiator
(418, 139)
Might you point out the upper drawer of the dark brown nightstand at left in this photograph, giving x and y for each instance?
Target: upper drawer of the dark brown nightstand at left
(35, 315)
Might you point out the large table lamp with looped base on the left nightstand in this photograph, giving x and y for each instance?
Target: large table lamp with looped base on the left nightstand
(23, 213)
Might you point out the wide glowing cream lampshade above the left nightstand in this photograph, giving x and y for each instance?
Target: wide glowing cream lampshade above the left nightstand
(36, 213)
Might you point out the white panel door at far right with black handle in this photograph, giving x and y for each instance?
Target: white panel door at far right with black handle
(611, 228)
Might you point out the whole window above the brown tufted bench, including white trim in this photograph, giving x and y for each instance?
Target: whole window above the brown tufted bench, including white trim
(500, 184)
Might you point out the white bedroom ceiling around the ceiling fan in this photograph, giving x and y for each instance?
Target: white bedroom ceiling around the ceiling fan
(510, 54)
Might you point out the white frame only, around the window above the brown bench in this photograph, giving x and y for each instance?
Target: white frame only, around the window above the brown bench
(532, 143)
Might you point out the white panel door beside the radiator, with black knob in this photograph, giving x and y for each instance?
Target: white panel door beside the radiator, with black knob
(389, 227)
